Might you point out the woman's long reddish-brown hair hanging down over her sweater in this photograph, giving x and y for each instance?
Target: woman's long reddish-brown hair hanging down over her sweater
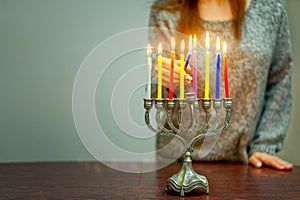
(189, 22)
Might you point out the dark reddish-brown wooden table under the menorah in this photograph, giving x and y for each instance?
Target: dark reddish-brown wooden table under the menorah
(92, 180)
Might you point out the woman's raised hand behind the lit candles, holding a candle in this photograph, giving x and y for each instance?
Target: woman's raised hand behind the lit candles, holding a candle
(166, 66)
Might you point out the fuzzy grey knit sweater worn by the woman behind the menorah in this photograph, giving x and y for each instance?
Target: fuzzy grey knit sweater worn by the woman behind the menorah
(259, 68)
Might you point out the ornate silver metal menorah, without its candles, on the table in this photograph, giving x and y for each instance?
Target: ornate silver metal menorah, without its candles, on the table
(187, 180)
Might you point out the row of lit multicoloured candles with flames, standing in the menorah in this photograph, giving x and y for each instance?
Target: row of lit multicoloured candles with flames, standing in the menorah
(183, 66)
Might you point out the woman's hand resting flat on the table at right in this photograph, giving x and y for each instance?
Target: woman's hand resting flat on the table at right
(258, 159)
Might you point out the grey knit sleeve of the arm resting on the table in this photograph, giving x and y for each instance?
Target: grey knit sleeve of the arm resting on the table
(275, 116)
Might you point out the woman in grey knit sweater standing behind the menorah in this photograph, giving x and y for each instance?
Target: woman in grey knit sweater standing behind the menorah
(260, 66)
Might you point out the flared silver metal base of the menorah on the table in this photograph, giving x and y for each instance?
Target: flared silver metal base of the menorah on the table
(187, 180)
